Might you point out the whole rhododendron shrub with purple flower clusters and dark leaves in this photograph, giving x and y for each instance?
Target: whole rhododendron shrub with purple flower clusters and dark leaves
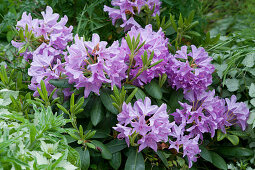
(93, 67)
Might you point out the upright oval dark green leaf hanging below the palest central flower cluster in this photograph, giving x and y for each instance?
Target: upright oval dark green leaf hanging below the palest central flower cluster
(96, 113)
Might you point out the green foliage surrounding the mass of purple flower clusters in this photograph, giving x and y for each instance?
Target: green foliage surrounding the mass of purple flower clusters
(224, 28)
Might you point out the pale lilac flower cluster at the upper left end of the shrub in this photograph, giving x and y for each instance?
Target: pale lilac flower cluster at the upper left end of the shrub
(48, 30)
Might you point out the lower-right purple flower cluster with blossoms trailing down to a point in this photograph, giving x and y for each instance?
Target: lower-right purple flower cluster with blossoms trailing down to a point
(205, 114)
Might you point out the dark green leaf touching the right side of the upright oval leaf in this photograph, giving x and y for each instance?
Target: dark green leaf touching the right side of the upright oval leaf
(107, 100)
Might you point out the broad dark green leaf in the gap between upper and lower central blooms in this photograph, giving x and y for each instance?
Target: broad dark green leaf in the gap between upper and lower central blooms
(154, 90)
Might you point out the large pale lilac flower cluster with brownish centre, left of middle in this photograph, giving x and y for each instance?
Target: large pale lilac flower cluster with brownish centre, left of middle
(90, 64)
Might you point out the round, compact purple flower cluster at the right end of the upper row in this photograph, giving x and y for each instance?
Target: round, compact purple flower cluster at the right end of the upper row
(191, 71)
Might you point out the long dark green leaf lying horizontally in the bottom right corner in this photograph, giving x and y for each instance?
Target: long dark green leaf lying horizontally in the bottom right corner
(235, 152)
